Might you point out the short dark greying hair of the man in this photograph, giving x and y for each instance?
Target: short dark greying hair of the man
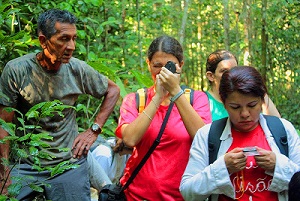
(47, 20)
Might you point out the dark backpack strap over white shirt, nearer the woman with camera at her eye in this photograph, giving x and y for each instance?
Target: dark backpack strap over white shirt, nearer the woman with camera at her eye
(214, 135)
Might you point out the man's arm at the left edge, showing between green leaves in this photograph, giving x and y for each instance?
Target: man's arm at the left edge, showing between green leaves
(4, 148)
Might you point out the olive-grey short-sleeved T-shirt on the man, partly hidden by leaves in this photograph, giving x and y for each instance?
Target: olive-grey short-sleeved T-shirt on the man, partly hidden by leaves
(26, 84)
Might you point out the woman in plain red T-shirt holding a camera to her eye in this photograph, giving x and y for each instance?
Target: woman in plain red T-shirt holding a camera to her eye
(160, 177)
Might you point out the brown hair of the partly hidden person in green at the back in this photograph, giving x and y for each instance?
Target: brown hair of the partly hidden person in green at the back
(216, 57)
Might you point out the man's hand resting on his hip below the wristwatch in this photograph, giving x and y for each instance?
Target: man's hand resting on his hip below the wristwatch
(83, 143)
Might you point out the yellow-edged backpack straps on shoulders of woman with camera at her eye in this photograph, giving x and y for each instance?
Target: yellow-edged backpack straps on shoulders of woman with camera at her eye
(141, 97)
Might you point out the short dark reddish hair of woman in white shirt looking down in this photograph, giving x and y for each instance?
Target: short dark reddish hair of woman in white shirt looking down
(243, 79)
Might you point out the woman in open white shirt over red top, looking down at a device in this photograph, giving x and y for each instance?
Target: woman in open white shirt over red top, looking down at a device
(239, 173)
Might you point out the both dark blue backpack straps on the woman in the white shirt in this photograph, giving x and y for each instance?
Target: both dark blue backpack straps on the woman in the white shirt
(275, 125)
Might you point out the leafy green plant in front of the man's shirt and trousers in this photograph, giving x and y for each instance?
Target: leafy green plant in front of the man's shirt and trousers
(34, 142)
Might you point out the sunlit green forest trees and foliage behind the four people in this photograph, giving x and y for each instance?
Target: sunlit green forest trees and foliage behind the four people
(113, 37)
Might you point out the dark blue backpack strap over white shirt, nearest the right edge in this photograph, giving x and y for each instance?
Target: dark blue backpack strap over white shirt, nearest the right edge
(278, 131)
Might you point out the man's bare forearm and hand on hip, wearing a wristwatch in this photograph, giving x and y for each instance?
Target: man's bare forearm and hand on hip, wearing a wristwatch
(84, 141)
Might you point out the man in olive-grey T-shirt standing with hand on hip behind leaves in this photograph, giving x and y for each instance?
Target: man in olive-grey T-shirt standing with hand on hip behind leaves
(54, 74)
